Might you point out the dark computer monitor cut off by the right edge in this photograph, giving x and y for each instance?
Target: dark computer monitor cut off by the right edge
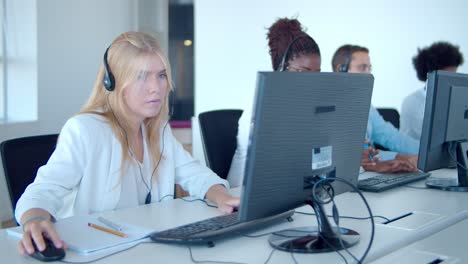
(445, 129)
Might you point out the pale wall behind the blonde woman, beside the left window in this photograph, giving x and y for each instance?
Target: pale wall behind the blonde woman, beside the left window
(72, 37)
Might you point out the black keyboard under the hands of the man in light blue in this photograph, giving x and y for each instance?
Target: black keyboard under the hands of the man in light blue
(384, 182)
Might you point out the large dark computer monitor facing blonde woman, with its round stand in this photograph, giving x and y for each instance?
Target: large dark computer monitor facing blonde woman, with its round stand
(305, 126)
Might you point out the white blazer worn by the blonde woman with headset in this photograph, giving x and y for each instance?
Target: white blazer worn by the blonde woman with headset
(83, 174)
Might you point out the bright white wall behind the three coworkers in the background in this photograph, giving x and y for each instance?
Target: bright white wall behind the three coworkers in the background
(231, 46)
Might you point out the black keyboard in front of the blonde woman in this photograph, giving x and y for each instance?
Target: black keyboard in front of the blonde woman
(208, 230)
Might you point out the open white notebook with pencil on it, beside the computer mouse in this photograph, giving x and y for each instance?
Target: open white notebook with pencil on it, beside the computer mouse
(85, 240)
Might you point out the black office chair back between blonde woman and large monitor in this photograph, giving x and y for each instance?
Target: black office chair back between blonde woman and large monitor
(219, 137)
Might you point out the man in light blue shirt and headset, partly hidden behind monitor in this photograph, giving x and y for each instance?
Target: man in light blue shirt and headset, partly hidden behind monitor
(403, 149)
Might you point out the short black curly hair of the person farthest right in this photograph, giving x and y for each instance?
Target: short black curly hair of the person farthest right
(438, 56)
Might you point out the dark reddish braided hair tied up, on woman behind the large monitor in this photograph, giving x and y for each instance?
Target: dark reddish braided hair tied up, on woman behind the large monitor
(281, 33)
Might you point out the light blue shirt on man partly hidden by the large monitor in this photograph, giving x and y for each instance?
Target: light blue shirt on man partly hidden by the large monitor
(384, 133)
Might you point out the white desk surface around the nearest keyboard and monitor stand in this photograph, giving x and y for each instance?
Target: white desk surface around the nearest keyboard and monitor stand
(434, 212)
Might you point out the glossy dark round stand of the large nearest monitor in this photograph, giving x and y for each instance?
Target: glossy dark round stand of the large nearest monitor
(309, 239)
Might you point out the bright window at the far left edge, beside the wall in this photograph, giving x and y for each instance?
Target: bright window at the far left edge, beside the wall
(18, 58)
